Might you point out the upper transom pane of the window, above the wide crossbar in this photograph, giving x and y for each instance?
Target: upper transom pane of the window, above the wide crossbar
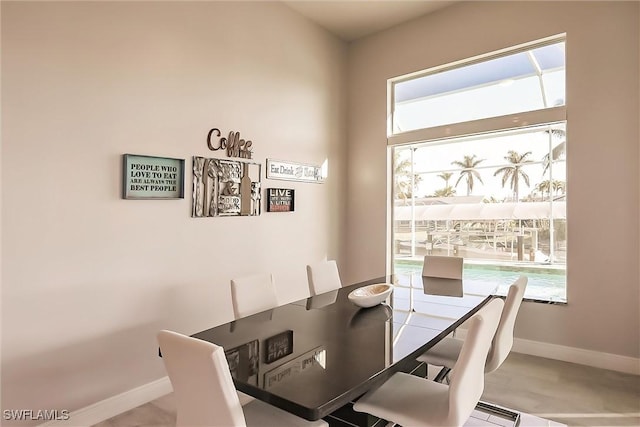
(529, 80)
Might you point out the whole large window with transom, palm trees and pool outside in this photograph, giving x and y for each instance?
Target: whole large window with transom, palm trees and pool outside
(495, 192)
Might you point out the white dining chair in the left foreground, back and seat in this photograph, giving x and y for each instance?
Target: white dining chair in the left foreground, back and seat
(204, 390)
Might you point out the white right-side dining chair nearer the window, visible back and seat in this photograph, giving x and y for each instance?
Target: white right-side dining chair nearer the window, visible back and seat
(446, 352)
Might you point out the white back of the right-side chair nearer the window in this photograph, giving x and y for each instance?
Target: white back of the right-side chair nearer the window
(503, 341)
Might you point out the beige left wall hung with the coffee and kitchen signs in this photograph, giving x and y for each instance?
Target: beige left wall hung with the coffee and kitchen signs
(89, 278)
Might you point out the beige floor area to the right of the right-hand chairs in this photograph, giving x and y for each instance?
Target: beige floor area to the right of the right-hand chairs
(571, 394)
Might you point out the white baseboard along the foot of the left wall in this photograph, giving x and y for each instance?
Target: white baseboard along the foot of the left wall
(114, 405)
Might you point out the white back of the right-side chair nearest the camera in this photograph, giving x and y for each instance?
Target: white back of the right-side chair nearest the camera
(467, 376)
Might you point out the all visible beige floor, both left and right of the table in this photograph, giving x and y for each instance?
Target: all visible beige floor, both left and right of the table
(546, 392)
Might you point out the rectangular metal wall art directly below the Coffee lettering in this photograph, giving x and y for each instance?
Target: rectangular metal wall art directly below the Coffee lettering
(225, 188)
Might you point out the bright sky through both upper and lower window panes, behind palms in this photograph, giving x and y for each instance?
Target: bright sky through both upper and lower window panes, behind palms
(525, 81)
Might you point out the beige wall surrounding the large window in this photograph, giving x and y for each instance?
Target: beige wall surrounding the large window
(602, 102)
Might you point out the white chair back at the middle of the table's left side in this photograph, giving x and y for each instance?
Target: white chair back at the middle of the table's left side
(253, 294)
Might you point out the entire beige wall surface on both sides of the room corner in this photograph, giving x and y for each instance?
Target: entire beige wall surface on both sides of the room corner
(89, 278)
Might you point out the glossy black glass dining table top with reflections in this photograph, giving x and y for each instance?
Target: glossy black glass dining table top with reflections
(313, 356)
